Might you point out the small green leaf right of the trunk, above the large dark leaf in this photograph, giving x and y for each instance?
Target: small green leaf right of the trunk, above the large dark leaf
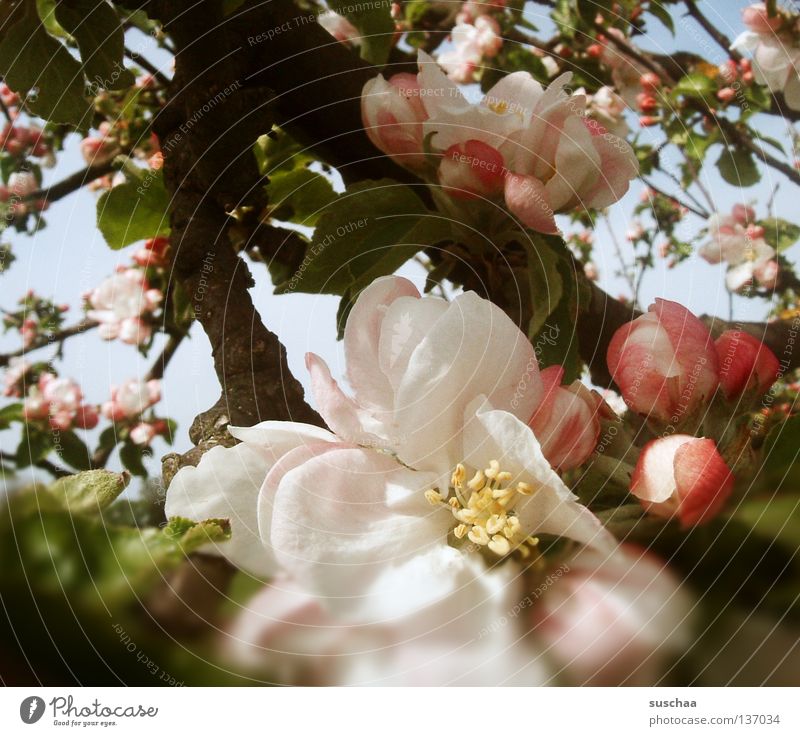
(299, 196)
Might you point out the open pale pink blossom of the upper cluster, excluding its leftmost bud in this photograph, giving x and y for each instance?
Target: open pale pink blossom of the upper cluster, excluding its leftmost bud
(547, 157)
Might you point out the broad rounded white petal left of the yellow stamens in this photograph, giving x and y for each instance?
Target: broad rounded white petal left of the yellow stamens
(344, 517)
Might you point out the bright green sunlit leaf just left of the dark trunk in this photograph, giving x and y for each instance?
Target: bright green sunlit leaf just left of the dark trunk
(135, 210)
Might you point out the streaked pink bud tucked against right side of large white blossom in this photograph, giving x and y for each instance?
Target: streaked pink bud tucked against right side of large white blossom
(566, 422)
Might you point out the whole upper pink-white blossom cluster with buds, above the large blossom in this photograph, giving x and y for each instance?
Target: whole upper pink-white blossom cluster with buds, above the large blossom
(531, 148)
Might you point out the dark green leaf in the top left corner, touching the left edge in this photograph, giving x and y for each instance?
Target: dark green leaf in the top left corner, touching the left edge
(31, 59)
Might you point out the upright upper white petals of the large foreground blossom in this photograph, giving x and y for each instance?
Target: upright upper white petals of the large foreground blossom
(415, 363)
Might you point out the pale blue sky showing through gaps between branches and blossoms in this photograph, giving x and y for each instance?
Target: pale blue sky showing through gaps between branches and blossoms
(69, 257)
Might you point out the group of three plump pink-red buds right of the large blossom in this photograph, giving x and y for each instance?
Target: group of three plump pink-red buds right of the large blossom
(670, 369)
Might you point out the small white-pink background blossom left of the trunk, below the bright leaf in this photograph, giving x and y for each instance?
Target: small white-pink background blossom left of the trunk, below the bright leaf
(119, 303)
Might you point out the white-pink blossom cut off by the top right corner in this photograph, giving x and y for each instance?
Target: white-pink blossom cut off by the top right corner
(776, 52)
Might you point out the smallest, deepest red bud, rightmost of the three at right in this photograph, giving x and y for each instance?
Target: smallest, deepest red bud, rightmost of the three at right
(745, 363)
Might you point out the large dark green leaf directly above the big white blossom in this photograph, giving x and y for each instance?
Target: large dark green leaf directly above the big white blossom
(369, 231)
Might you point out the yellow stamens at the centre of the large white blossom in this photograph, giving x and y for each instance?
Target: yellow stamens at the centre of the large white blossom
(483, 508)
